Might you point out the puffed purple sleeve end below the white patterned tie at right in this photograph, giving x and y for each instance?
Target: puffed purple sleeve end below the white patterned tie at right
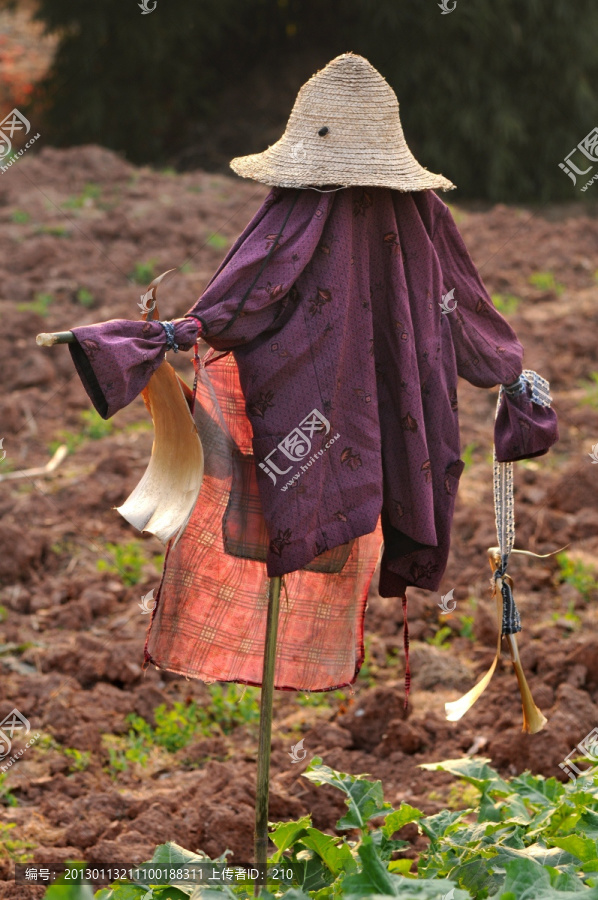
(523, 429)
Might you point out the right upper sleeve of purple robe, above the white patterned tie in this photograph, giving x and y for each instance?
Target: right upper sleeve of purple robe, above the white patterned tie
(486, 347)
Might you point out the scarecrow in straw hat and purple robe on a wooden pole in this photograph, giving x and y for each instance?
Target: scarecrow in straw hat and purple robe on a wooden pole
(336, 329)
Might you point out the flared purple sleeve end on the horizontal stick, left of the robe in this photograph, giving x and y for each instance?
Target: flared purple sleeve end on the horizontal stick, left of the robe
(116, 359)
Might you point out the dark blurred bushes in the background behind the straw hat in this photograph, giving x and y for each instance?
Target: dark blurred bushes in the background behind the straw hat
(493, 95)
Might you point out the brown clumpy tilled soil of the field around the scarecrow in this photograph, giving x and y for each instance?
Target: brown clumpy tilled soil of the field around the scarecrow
(71, 643)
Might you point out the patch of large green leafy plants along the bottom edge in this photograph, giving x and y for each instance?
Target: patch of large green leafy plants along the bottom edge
(527, 837)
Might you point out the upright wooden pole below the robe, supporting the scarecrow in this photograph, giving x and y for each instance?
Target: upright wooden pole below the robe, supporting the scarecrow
(265, 734)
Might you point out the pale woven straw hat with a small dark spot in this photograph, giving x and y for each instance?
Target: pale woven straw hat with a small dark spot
(344, 130)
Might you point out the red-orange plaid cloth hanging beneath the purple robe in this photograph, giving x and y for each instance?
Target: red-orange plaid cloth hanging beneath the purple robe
(210, 617)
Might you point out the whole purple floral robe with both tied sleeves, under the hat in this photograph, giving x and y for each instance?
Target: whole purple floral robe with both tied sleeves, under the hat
(331, 306)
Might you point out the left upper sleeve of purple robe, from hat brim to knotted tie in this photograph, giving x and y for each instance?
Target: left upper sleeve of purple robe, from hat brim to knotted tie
(252, 293)
